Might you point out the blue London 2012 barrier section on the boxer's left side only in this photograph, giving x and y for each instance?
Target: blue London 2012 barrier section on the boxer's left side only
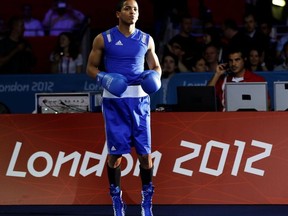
(18, 91)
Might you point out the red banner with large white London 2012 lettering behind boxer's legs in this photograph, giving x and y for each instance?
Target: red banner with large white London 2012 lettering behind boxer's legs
(199, 158)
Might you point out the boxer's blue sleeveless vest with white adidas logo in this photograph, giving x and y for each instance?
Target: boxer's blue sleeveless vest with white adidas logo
(125, 55)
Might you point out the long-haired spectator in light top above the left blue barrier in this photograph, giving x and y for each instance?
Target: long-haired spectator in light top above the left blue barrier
(66, 57)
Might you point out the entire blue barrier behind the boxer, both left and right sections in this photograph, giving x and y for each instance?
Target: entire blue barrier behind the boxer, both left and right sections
(18, 91)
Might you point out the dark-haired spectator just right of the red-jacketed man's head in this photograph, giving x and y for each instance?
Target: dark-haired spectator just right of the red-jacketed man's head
(256, 60)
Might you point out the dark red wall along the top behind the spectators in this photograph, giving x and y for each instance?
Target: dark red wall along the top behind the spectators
(103, 14)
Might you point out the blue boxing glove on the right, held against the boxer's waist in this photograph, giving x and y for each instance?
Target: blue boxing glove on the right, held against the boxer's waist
(150, 81)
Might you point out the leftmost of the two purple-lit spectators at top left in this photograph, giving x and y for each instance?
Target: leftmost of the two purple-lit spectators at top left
(33, 27)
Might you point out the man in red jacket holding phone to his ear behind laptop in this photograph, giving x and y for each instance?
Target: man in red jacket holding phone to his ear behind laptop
(233, 71)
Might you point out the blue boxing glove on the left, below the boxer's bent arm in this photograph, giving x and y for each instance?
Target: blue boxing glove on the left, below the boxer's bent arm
(115, 83)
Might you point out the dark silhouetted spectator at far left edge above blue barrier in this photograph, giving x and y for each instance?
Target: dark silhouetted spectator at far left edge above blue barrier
(16, 56)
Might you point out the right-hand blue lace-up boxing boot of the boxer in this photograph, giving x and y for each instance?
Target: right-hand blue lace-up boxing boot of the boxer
(146, 205)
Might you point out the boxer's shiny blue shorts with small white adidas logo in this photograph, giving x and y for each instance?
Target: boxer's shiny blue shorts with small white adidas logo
(127, 124)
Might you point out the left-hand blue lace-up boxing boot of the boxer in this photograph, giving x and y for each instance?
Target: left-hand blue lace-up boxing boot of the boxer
(118, 205)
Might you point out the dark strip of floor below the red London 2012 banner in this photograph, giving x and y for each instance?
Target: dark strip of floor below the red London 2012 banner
(159, 210)
